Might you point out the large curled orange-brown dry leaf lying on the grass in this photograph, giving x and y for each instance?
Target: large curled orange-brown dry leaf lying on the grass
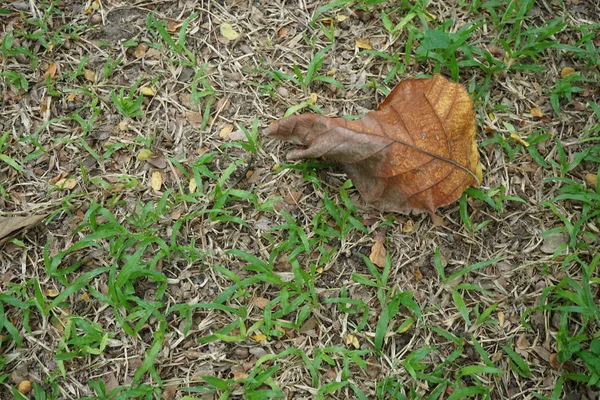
(416, 152)
